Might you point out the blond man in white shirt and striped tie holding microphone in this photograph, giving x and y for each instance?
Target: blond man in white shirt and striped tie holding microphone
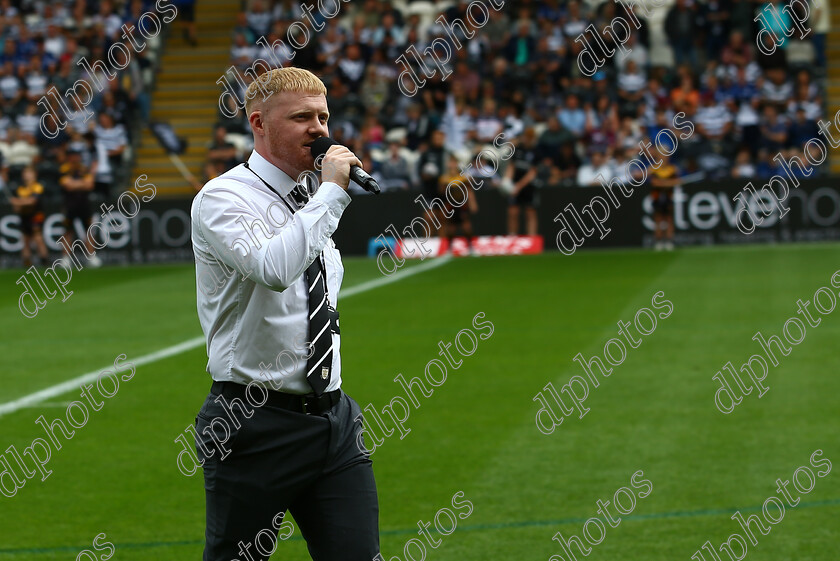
(278, 326)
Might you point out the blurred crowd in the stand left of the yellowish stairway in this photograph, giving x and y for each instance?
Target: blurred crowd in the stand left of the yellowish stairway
(41, 44)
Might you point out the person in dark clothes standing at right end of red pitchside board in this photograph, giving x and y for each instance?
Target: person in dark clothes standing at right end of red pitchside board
(522, 172)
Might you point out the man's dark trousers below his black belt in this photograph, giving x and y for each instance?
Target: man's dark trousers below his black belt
(278, 460)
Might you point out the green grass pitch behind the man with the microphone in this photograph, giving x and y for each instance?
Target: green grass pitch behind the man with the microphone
(477, 432)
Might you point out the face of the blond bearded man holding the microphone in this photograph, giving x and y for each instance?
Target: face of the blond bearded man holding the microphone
(290, 121)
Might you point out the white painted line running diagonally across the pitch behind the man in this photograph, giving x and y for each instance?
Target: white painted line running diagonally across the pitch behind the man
(64, 387)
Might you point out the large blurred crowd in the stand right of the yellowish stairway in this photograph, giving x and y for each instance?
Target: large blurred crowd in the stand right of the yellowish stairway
(519, 75)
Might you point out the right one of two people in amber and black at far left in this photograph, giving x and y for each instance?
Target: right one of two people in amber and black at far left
(76, 183)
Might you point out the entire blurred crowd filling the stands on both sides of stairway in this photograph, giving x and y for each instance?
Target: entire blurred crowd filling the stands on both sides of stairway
(518, 76)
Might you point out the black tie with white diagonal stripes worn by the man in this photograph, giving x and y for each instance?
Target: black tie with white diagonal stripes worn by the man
(319, 364)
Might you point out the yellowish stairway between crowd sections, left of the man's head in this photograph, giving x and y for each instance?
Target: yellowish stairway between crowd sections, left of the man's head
(187, 96)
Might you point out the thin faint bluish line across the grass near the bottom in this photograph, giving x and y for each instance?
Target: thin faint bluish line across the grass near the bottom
(473, 528)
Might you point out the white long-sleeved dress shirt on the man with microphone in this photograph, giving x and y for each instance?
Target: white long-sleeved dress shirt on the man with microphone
(257, 328)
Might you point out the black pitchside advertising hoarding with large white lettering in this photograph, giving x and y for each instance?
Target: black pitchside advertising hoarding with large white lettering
(704, 214)
